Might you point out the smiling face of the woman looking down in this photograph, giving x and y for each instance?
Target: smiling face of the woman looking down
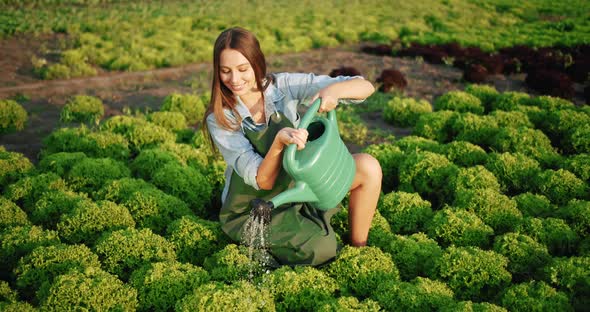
(236, 73)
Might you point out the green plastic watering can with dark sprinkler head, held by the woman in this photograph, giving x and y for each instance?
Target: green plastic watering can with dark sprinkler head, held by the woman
(323, 171)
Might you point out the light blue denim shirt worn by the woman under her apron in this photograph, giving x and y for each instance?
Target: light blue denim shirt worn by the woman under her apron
(284, 94)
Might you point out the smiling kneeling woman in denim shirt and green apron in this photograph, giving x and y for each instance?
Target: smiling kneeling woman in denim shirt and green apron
(251, 118)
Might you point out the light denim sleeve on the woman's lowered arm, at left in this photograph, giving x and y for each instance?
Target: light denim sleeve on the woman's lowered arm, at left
(237, 151)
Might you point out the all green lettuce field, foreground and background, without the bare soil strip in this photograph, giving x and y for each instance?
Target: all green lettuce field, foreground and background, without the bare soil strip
(485, 205)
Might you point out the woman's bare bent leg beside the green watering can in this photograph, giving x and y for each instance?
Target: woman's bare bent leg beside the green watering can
(364, 194)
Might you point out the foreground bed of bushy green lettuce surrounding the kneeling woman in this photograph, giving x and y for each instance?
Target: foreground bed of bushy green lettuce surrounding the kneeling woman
(484, 207)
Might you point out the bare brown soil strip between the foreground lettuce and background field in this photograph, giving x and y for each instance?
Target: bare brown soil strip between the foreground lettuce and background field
(146, 90)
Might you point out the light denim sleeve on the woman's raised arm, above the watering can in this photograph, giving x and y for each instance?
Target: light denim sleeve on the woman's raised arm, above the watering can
(305, 86)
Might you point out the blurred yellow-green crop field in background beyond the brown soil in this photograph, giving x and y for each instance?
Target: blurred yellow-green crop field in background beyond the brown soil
(132, 36)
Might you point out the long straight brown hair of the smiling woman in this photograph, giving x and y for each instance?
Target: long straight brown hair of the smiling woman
(245, 42)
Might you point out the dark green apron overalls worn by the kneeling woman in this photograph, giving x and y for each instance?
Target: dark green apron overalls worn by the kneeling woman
(299, 233)
